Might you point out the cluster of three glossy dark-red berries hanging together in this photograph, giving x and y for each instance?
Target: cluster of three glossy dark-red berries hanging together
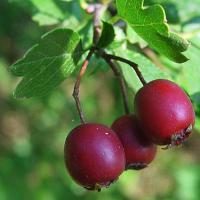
(96, 155)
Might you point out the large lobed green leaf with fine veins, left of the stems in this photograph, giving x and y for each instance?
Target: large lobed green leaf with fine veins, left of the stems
(48, 63)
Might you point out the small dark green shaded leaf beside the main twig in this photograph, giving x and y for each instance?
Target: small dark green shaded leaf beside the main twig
(107, 35)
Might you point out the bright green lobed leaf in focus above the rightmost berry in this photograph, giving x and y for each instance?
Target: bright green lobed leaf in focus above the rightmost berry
(150, 23)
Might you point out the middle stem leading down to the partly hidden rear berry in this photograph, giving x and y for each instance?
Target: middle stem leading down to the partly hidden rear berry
(121, 82)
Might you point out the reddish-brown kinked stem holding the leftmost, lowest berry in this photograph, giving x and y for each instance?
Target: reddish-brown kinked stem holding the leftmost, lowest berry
(77, 85)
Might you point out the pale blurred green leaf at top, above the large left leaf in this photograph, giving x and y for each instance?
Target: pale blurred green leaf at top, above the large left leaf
(50, 12)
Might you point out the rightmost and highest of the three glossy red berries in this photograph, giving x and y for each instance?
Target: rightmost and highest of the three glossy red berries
(165, 112)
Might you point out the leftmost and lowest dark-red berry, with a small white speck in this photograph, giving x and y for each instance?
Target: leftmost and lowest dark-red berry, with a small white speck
(94, 156)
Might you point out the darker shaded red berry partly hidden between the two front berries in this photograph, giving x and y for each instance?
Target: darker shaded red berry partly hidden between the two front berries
(139, 152)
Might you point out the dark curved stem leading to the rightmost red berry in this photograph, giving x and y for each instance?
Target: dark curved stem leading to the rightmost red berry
(132, 64)
